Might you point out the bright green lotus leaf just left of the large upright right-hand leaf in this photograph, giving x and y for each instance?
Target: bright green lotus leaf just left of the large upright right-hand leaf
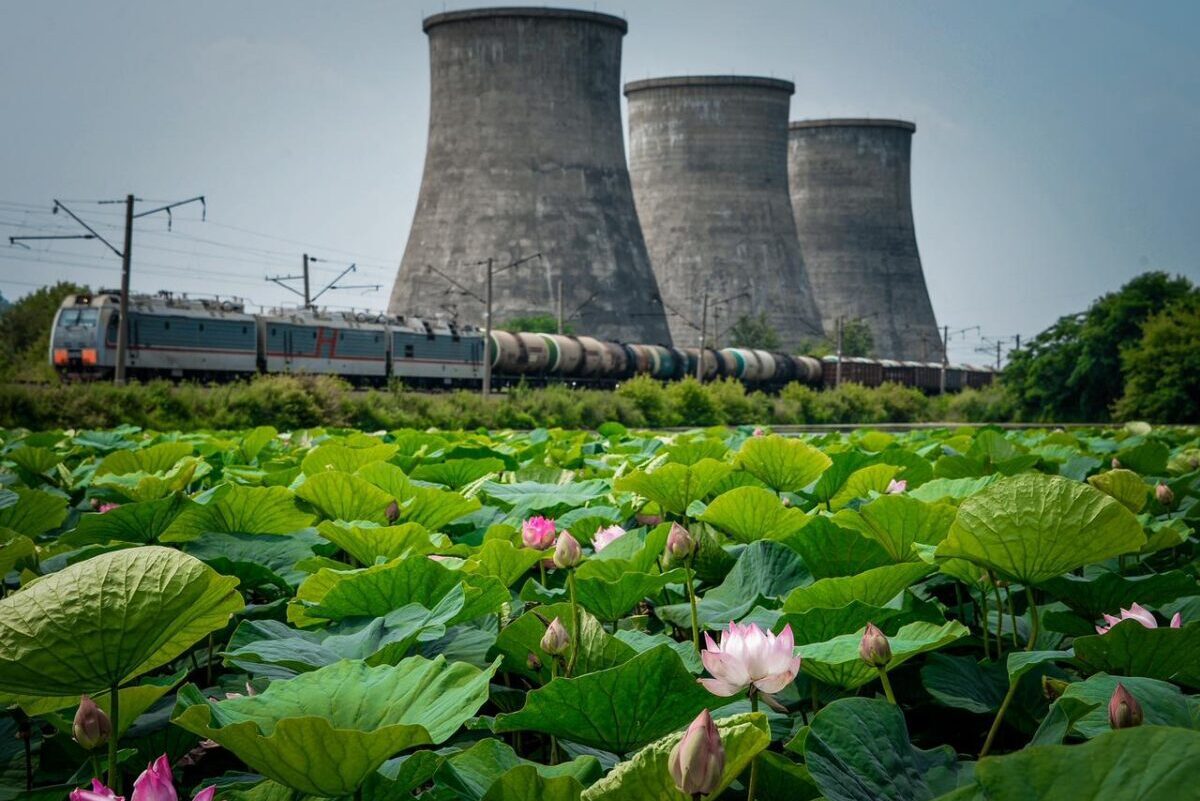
(897, 522)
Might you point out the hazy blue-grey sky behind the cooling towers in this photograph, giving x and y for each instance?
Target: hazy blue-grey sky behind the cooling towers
(1055, 158)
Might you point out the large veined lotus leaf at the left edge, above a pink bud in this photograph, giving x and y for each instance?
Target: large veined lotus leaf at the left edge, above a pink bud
(109, 619)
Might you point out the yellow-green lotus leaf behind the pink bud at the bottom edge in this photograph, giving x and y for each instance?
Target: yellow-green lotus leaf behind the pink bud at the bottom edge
(645, 775)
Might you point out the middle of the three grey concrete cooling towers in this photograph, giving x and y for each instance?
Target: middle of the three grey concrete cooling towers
(709, 159)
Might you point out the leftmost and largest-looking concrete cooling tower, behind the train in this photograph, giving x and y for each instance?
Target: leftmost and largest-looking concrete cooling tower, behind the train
(526, 155)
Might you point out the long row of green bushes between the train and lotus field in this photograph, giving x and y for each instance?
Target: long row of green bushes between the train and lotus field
(301, 402)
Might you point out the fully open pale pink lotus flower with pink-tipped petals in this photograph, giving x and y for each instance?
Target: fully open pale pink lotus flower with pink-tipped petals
(749, 658)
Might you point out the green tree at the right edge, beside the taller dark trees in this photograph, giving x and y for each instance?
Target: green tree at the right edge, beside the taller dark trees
(1162, 370)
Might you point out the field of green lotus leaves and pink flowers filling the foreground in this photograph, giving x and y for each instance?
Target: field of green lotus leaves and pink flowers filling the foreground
(568, 616)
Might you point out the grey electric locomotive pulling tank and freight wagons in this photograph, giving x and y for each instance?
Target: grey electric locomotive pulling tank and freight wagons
(213, 340)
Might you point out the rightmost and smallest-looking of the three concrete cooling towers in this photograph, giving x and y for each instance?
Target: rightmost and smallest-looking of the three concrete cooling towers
(854, 212)
